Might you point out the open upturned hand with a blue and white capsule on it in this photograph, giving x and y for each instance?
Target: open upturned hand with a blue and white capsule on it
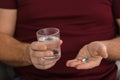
(93, 51)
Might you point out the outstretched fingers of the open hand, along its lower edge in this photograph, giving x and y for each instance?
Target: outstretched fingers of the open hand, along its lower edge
(79, 64)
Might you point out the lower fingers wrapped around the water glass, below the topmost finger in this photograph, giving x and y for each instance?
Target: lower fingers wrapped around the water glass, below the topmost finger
(39, 62)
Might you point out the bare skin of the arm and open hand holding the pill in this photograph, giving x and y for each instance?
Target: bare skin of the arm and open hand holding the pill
(96, 51)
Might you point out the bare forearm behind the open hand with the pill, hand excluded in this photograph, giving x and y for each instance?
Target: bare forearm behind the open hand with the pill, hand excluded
(113, 48)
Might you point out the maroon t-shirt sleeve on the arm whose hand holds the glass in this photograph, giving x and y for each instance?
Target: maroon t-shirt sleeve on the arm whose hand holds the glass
(8, 4)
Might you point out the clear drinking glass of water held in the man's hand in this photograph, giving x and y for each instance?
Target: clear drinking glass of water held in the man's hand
(50, 37)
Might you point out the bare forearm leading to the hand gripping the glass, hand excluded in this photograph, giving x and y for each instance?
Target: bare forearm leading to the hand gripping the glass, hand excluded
(13, 52)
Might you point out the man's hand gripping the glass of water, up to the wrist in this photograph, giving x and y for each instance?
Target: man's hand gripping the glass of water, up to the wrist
(37, 51)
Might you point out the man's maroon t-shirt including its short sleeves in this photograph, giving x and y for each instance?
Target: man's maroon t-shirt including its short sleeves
(80, 22)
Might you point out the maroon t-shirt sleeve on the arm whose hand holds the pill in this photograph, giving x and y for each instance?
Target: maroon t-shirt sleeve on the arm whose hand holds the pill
(116, 8)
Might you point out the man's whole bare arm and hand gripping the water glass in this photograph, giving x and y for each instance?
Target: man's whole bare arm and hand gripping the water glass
(16, 53)
